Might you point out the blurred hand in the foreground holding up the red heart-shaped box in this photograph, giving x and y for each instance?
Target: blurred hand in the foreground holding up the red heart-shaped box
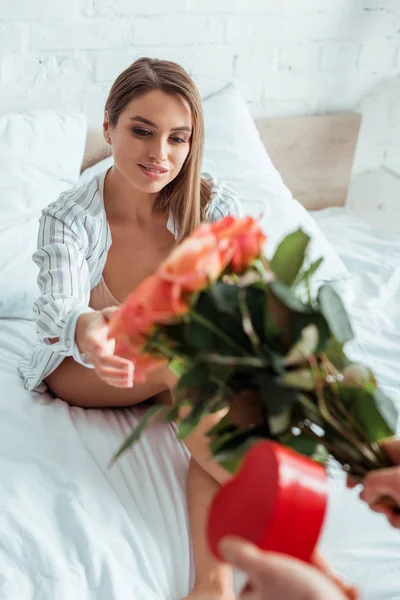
(275, 576)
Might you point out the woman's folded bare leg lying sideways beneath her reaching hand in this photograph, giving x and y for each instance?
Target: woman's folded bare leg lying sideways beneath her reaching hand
(80, 386)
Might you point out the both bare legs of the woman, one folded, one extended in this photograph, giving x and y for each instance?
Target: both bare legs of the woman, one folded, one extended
(80, 386)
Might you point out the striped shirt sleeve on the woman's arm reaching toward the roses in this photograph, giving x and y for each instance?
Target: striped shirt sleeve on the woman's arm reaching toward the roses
(63, 279)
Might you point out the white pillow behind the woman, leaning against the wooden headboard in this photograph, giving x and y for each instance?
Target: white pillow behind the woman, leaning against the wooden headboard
(235, 154)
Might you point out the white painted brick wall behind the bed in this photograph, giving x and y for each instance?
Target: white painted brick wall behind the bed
(290, 57)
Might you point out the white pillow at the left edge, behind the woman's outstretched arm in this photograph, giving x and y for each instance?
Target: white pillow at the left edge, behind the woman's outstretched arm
(41, 154)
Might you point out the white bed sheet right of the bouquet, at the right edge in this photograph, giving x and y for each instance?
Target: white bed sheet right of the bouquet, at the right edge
(360, 544)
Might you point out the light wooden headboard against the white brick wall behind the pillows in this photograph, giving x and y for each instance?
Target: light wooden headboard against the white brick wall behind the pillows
(313, 154)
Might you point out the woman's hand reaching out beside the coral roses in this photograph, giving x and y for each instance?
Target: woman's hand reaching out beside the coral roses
(91, 338)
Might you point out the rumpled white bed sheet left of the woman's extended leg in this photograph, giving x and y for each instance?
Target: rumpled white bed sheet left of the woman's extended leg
(70, 527)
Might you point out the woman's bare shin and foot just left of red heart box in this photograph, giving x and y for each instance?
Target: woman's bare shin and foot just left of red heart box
(214, 580)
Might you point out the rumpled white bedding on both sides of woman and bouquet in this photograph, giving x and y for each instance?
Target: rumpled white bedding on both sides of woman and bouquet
(72, 528)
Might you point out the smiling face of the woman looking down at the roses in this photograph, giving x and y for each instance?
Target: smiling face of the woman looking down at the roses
(151, 139)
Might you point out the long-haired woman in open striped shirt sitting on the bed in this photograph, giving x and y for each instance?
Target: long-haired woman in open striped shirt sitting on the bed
(97, 242)
